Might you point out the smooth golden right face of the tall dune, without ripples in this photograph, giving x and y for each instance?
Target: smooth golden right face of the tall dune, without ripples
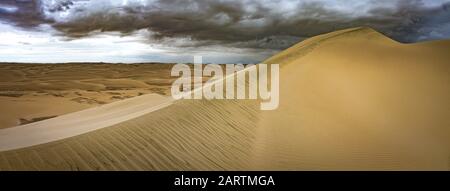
(363, 101)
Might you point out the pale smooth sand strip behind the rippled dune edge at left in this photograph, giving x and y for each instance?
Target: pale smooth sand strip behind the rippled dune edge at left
(80, 122)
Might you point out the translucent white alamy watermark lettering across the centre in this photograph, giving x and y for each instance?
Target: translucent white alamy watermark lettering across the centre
(239, 82)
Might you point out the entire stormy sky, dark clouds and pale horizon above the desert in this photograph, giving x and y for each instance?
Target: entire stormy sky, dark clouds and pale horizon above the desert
(222, 31)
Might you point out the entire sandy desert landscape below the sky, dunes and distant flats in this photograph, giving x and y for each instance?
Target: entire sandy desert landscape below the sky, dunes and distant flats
(352, 99)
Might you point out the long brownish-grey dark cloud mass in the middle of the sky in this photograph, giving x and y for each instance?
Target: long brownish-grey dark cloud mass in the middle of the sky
(210, 21)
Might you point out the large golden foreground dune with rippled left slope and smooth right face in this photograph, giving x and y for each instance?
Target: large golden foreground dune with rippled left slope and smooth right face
(349, 100)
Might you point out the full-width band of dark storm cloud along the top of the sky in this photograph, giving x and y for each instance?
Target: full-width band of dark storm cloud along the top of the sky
(241, 23)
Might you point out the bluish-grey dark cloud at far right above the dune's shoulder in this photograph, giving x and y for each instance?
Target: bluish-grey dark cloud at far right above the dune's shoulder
(410, 21)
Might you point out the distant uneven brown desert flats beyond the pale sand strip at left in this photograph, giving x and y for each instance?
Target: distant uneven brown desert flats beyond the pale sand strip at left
(34, 92)
